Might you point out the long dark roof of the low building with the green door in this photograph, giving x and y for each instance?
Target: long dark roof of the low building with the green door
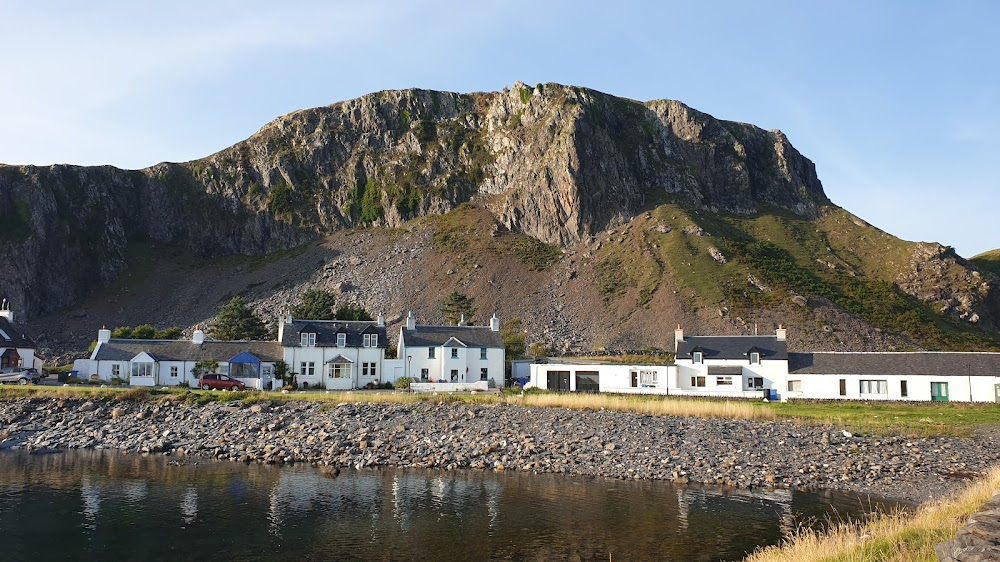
(909, 363)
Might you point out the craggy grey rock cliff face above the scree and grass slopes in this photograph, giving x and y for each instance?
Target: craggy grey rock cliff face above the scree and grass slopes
(558, 163)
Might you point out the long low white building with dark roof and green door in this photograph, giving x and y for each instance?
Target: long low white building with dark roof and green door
(921, 376)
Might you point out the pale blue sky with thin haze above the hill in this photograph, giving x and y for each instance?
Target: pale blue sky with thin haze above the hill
(897, 102)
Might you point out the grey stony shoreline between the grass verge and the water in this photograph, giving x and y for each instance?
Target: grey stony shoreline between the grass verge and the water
(455, 436)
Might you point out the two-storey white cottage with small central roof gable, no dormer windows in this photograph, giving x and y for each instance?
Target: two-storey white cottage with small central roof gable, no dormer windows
(452, 354)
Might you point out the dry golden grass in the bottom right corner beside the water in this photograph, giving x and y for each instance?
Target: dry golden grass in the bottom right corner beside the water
(896, 537)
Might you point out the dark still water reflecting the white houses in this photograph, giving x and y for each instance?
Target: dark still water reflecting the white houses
(98, 505)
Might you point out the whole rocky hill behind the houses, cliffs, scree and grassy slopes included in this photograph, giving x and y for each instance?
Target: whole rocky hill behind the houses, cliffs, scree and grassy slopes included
(603, 214)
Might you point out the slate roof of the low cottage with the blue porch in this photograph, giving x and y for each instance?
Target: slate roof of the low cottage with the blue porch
(186, 350)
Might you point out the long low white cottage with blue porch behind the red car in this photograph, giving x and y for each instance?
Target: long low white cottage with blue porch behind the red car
(169, 362)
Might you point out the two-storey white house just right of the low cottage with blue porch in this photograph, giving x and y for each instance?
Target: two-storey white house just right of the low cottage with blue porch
(335, 354)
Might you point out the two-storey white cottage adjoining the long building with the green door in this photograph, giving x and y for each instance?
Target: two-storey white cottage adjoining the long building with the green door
(731, 366)
